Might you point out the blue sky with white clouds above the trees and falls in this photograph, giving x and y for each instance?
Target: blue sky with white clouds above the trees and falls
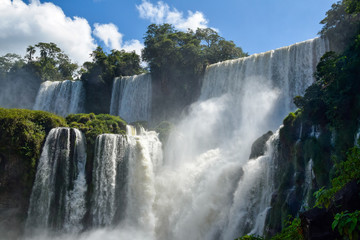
(80, 25)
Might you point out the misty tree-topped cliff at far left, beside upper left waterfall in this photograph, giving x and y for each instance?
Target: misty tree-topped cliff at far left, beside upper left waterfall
(22, 77)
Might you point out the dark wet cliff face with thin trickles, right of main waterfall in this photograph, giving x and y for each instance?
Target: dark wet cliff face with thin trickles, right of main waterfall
(307, 153)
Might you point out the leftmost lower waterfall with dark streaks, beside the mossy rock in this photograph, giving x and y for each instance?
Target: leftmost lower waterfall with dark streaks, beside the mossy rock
(58, 197)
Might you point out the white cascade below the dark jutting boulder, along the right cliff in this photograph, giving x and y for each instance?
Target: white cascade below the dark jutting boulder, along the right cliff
(253, 195)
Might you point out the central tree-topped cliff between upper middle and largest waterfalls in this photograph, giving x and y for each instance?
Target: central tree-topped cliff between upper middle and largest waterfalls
(177, 61)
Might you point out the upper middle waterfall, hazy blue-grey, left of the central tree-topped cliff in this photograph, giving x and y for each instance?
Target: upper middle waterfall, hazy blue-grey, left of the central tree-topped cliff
(131, 98)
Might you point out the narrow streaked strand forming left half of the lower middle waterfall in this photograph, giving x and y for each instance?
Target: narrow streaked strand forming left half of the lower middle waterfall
(109, 178)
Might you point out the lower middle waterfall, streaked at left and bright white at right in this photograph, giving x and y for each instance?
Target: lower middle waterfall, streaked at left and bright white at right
(123, 177)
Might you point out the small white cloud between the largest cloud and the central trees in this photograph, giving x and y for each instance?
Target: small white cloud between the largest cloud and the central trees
(113, 39)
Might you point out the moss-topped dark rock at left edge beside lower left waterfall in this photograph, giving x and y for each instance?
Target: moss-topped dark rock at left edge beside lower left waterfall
(22, 134)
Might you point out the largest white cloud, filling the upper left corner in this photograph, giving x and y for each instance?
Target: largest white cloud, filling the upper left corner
(24, 24)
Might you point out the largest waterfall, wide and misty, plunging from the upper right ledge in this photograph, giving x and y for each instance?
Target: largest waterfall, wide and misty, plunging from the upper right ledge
(206, 170)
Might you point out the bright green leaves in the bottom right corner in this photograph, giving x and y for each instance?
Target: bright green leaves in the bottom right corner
(348, 224)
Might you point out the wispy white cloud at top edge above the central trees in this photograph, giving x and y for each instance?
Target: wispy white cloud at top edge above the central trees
(161, 13)
